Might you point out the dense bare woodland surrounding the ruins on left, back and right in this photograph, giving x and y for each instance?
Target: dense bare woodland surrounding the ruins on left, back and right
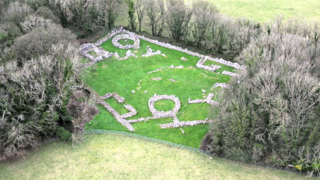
(269, 114)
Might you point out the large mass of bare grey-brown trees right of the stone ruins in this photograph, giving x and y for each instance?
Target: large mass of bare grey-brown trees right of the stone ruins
(271, 113)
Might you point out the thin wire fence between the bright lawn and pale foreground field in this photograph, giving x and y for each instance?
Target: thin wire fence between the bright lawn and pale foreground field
(96, 131)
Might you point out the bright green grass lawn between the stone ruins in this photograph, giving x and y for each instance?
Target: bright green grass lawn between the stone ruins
(124, 76)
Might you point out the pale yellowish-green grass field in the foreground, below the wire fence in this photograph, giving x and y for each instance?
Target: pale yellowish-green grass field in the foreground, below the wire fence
(120, 157)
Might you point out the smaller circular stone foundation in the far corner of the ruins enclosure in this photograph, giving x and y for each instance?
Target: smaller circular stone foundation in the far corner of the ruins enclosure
(136, 45)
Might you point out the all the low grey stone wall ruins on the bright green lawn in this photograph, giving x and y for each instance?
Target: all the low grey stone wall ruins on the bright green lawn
(119, 34)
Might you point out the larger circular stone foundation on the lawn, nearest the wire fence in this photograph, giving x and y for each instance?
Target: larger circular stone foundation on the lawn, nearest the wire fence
(162, 114)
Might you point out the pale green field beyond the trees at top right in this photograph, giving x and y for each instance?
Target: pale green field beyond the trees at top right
(266, 10)
